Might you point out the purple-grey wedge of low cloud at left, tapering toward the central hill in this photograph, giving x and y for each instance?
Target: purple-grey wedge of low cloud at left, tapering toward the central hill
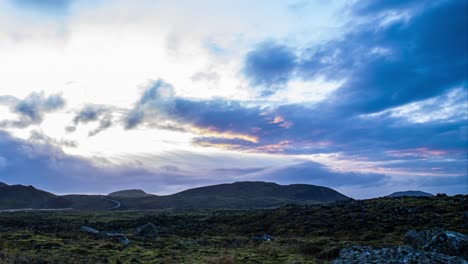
(45, 166)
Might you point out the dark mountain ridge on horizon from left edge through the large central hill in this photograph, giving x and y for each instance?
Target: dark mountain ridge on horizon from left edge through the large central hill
(238, 195)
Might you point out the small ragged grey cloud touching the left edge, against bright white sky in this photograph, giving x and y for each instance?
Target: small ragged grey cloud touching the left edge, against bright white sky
(32, 108)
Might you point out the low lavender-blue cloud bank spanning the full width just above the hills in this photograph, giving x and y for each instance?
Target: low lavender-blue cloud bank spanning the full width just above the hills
(46, 166)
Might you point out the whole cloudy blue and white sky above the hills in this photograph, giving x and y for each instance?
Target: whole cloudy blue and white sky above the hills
(365, 97)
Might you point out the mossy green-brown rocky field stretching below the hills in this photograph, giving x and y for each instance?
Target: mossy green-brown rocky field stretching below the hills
(289, 234)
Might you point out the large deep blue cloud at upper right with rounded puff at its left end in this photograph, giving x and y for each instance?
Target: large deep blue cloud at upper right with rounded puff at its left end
(383, 64)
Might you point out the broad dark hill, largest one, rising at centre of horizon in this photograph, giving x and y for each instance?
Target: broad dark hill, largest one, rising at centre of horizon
(239, 195)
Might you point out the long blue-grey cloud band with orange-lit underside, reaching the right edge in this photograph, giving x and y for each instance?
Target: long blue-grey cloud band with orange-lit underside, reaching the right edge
(301, 129)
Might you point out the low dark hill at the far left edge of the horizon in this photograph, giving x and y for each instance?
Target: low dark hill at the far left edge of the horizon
(19, 196)
